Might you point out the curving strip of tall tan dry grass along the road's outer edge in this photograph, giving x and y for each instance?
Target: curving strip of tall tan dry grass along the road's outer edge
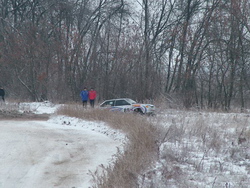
(136, 156)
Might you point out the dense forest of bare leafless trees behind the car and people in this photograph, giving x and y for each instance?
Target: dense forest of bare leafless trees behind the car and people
(196, 51)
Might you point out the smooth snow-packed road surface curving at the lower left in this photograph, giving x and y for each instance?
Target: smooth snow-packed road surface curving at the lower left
(41, 154)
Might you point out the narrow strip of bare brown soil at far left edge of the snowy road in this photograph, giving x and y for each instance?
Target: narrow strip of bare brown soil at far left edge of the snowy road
(6, 115)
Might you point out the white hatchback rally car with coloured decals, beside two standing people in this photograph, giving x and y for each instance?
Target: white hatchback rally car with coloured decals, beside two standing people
(127, 105)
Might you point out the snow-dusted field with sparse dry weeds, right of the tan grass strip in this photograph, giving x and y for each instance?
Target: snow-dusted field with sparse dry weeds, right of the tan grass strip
(203, 150)
